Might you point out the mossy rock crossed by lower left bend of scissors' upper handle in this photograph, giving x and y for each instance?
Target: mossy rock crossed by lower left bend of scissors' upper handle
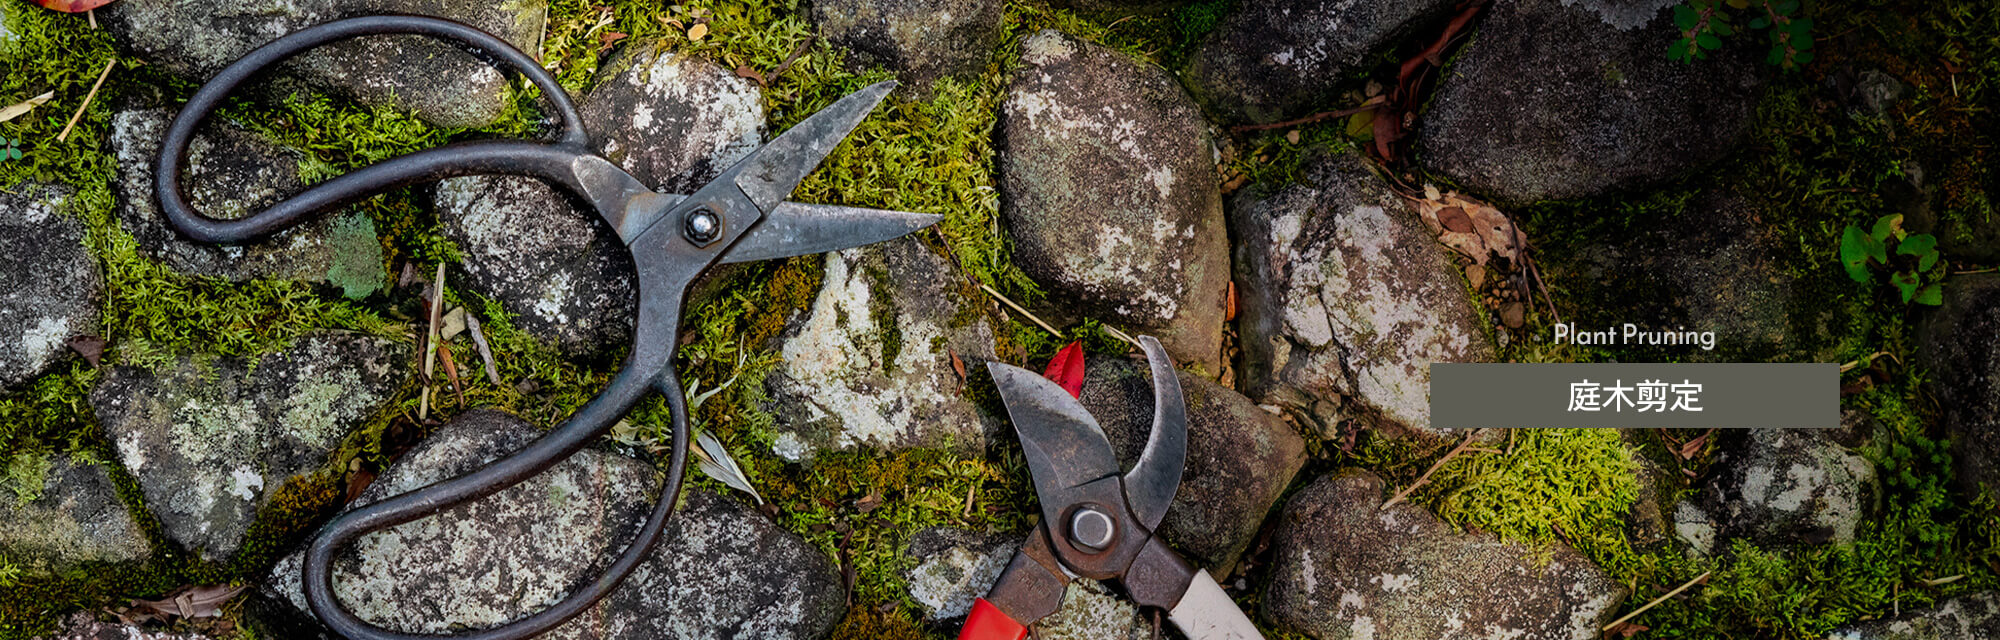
(231, 175)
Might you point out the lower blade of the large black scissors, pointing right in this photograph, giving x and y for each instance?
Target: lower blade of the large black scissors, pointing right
(815, 229)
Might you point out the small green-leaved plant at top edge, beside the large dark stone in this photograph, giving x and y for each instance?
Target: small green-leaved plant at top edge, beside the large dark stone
(1705, 23)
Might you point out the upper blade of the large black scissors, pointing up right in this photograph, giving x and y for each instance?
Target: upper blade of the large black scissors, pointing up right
(773, 171)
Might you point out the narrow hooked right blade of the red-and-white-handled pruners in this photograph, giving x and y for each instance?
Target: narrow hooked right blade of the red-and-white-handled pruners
(1157, 475)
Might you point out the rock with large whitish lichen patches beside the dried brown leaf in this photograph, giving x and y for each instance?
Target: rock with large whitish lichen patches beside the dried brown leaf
(1347, 301)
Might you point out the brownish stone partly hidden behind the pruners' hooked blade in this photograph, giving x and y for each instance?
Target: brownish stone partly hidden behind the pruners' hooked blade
(1241, 457)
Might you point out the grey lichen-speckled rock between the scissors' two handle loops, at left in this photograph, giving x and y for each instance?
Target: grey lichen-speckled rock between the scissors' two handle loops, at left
(211, 443)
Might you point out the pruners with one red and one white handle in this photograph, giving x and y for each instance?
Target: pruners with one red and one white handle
(1097, 523)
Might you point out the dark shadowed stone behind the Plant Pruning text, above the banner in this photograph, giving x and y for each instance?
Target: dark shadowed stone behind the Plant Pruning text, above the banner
(1709, 267)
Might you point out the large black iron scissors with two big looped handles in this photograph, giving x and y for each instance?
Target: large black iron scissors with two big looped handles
(673, 239)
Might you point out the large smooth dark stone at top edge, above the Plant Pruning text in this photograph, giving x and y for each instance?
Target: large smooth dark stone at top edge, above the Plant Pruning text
(1557, 101)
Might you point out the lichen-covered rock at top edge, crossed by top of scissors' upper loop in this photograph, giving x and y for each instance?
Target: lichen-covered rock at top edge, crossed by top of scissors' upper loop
(411, 73)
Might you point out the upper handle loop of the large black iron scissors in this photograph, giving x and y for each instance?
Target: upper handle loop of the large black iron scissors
(471, 159)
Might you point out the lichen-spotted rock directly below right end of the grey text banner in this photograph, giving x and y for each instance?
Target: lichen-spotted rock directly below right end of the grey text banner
(1779, 487)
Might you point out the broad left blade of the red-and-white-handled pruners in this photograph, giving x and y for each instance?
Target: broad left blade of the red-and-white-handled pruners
(1065, 447)
